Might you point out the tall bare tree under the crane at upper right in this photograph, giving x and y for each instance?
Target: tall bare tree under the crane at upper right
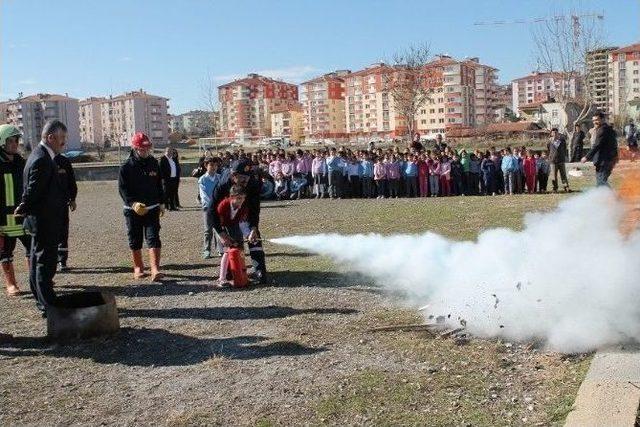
(561, 44)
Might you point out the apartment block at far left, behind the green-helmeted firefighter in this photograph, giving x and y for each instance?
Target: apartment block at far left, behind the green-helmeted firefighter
(30, 113)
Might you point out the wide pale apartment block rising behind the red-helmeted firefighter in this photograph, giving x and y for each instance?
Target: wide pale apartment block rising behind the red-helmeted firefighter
(112, 121)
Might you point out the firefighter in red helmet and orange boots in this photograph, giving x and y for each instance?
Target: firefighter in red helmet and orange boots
(140, 187)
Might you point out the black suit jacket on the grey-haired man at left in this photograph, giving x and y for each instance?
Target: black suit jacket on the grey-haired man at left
(43, 198)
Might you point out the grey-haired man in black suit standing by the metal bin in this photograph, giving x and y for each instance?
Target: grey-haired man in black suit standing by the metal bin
(43, 206)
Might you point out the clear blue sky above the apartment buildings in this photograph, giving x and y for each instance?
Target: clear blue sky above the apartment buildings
(95, 47)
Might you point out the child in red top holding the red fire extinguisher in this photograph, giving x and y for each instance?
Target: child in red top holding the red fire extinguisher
(234, 229)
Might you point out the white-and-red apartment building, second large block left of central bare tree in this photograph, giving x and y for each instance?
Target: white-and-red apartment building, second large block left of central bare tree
(323, 103)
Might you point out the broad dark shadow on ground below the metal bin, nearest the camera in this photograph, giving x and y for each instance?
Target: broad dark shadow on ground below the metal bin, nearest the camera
(157, 347)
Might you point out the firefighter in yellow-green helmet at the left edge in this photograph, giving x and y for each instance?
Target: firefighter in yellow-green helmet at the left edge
(11, 170)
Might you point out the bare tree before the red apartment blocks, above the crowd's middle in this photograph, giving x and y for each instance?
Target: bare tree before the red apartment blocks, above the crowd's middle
(407, 81)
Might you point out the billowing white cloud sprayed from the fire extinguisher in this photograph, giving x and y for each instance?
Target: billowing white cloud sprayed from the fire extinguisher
(569, 278)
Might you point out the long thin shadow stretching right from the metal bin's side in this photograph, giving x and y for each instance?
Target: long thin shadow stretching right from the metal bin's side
(230, 313)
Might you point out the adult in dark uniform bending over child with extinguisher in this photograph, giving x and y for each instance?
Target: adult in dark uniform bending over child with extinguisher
(242, 177)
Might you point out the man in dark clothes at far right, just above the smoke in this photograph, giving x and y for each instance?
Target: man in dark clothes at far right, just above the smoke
(604, 150)
